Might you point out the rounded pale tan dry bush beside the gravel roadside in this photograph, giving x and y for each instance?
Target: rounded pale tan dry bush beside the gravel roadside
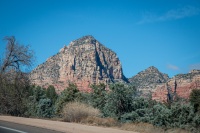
(75, 112)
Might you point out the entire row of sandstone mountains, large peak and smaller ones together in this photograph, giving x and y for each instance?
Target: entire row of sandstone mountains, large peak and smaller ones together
(86, 61)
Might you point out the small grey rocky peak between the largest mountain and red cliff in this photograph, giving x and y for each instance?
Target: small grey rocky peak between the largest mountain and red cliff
(147, 80)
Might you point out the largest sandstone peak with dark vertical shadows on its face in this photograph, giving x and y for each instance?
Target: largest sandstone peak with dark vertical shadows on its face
(84, 61)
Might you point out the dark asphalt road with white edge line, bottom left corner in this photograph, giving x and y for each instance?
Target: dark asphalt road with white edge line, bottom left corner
(8, 127)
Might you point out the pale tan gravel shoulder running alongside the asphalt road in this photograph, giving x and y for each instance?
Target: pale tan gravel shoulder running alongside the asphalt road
(61, 126)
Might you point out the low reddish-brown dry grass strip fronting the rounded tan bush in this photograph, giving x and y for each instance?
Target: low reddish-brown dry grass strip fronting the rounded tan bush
(97, 121)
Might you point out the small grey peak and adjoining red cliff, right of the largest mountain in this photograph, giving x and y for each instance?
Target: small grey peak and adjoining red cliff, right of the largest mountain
(153, 83)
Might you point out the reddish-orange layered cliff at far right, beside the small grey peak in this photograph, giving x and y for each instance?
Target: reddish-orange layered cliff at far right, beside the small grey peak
(184, 84)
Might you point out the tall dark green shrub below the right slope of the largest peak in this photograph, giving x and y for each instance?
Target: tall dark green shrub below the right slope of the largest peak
(118, 100)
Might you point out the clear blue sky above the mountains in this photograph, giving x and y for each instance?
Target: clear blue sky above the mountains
(143, 33)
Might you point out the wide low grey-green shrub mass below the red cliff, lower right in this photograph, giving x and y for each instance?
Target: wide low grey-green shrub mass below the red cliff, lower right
(178, 115)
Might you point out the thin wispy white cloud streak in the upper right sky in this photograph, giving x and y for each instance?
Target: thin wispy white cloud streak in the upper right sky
(173, 14)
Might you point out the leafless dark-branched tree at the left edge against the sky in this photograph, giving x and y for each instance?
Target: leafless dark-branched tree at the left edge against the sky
(13, 80)
